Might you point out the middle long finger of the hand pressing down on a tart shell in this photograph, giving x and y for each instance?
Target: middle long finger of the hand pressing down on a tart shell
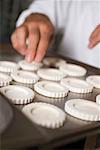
(34, 37)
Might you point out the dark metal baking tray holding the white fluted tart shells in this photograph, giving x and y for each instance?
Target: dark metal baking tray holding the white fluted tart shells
(35, 135)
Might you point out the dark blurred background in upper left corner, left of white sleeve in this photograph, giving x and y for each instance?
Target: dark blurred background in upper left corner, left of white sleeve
(9, 12)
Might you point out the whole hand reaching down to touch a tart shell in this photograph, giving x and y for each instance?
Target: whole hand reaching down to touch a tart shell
(39, 31)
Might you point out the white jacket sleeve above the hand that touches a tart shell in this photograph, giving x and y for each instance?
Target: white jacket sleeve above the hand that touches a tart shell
(46, 7)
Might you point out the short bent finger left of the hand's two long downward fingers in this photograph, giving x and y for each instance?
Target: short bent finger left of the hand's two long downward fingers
(21, 36)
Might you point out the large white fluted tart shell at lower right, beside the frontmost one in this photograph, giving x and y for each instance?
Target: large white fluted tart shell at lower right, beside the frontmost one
(83, 109)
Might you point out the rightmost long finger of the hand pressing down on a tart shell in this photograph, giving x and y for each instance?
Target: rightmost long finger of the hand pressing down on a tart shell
(42, 48)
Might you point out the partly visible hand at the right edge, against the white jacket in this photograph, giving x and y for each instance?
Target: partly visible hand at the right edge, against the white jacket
(94, 37)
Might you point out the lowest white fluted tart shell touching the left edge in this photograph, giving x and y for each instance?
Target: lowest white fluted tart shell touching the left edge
(18, 94)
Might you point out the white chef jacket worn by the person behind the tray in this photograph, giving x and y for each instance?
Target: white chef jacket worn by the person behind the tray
(74, 20)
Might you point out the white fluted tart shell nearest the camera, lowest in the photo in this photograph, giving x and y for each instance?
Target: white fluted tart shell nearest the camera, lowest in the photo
(46, 115)
